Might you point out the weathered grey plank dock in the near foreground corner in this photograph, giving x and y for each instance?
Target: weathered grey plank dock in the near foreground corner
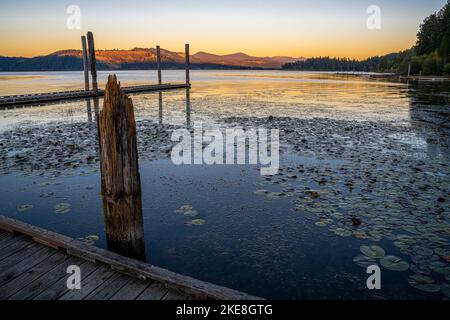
(34, 261)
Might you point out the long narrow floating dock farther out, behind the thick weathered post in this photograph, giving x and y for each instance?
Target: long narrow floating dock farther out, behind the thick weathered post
(79, 94)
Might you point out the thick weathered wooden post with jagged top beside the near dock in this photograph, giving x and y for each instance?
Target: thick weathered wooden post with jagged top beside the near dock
(121, 184)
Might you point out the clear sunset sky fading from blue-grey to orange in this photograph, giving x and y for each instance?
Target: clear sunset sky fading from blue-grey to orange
(297, 28)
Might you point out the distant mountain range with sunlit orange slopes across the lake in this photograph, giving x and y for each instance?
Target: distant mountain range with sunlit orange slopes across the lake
(140, 58)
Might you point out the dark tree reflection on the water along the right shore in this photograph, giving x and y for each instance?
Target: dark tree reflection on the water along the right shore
(430, 116)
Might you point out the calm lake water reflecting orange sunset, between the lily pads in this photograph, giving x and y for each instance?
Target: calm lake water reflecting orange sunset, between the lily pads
(252, 243)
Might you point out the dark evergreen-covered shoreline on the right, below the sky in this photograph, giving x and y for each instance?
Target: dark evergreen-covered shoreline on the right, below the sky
(430, 55)
